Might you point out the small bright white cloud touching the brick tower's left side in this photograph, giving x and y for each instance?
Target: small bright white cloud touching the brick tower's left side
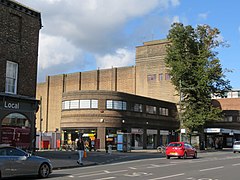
(122, 57)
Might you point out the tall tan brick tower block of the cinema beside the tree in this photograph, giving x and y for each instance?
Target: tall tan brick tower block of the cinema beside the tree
(150, 61)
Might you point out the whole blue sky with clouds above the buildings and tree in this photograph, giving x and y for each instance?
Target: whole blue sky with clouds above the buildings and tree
(83, 35)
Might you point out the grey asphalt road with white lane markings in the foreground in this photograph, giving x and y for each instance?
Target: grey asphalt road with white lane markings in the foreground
(208, 166)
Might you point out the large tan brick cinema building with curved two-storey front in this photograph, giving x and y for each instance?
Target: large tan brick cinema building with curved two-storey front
(139, 100)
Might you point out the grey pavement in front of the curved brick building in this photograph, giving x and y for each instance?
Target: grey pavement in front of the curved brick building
(68, 159)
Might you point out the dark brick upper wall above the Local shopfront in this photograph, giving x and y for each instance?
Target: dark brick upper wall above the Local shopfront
(19, 33)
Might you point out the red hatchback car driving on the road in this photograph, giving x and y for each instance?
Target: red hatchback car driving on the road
(180, 150)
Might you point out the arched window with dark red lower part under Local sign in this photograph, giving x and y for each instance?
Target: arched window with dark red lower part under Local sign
(16, 130)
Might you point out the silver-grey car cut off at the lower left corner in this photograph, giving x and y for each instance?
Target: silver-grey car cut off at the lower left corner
(16, 162)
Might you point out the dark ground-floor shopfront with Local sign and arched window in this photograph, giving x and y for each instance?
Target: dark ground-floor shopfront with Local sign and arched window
(17, 120)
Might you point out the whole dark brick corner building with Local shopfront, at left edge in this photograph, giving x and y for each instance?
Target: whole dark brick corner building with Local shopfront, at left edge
(19, 35)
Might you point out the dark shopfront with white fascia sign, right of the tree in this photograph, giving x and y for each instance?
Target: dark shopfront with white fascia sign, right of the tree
(219, 138)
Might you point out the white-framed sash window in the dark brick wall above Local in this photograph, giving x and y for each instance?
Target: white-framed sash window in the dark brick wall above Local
(11, 77)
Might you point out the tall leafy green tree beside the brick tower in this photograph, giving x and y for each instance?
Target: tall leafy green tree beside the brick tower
(196, 72)
